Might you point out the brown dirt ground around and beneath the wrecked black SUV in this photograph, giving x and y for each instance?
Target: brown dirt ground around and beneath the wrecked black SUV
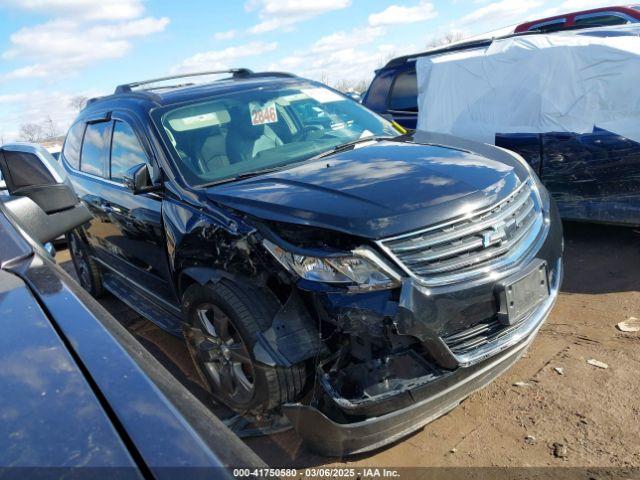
(533, 415)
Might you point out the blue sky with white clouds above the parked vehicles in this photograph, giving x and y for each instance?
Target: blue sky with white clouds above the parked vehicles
(53, 50)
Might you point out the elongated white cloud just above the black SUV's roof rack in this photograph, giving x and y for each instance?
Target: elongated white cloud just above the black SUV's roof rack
(222, 59)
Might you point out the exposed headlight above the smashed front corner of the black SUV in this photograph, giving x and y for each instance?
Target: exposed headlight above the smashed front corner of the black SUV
(361, 270)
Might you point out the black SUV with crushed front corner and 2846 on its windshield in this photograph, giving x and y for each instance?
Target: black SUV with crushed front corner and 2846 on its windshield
(316, 260)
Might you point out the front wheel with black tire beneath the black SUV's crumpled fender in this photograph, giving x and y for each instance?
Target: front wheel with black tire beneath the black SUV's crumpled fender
(247, 314)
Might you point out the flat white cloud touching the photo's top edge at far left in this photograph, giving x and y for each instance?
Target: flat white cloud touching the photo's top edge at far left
(81, 9)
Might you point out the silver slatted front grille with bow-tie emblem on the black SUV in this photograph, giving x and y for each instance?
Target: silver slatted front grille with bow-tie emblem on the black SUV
(471, 245)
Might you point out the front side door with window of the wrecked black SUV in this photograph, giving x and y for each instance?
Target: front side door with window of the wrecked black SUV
(137, 236)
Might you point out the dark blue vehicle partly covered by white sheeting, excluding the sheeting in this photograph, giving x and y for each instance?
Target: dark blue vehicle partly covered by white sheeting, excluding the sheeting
(593, 176)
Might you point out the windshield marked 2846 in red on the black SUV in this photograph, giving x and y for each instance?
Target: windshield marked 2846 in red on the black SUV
(270, 127)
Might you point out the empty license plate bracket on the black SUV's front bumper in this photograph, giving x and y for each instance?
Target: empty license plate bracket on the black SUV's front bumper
(520, 294)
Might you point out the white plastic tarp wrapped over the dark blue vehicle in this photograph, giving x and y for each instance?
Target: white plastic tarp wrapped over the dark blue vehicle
(561, 82)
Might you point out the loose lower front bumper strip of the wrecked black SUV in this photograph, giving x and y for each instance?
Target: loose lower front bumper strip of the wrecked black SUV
(426, 402)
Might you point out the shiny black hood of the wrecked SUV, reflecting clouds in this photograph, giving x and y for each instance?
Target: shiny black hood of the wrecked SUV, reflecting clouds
(375, 190)
